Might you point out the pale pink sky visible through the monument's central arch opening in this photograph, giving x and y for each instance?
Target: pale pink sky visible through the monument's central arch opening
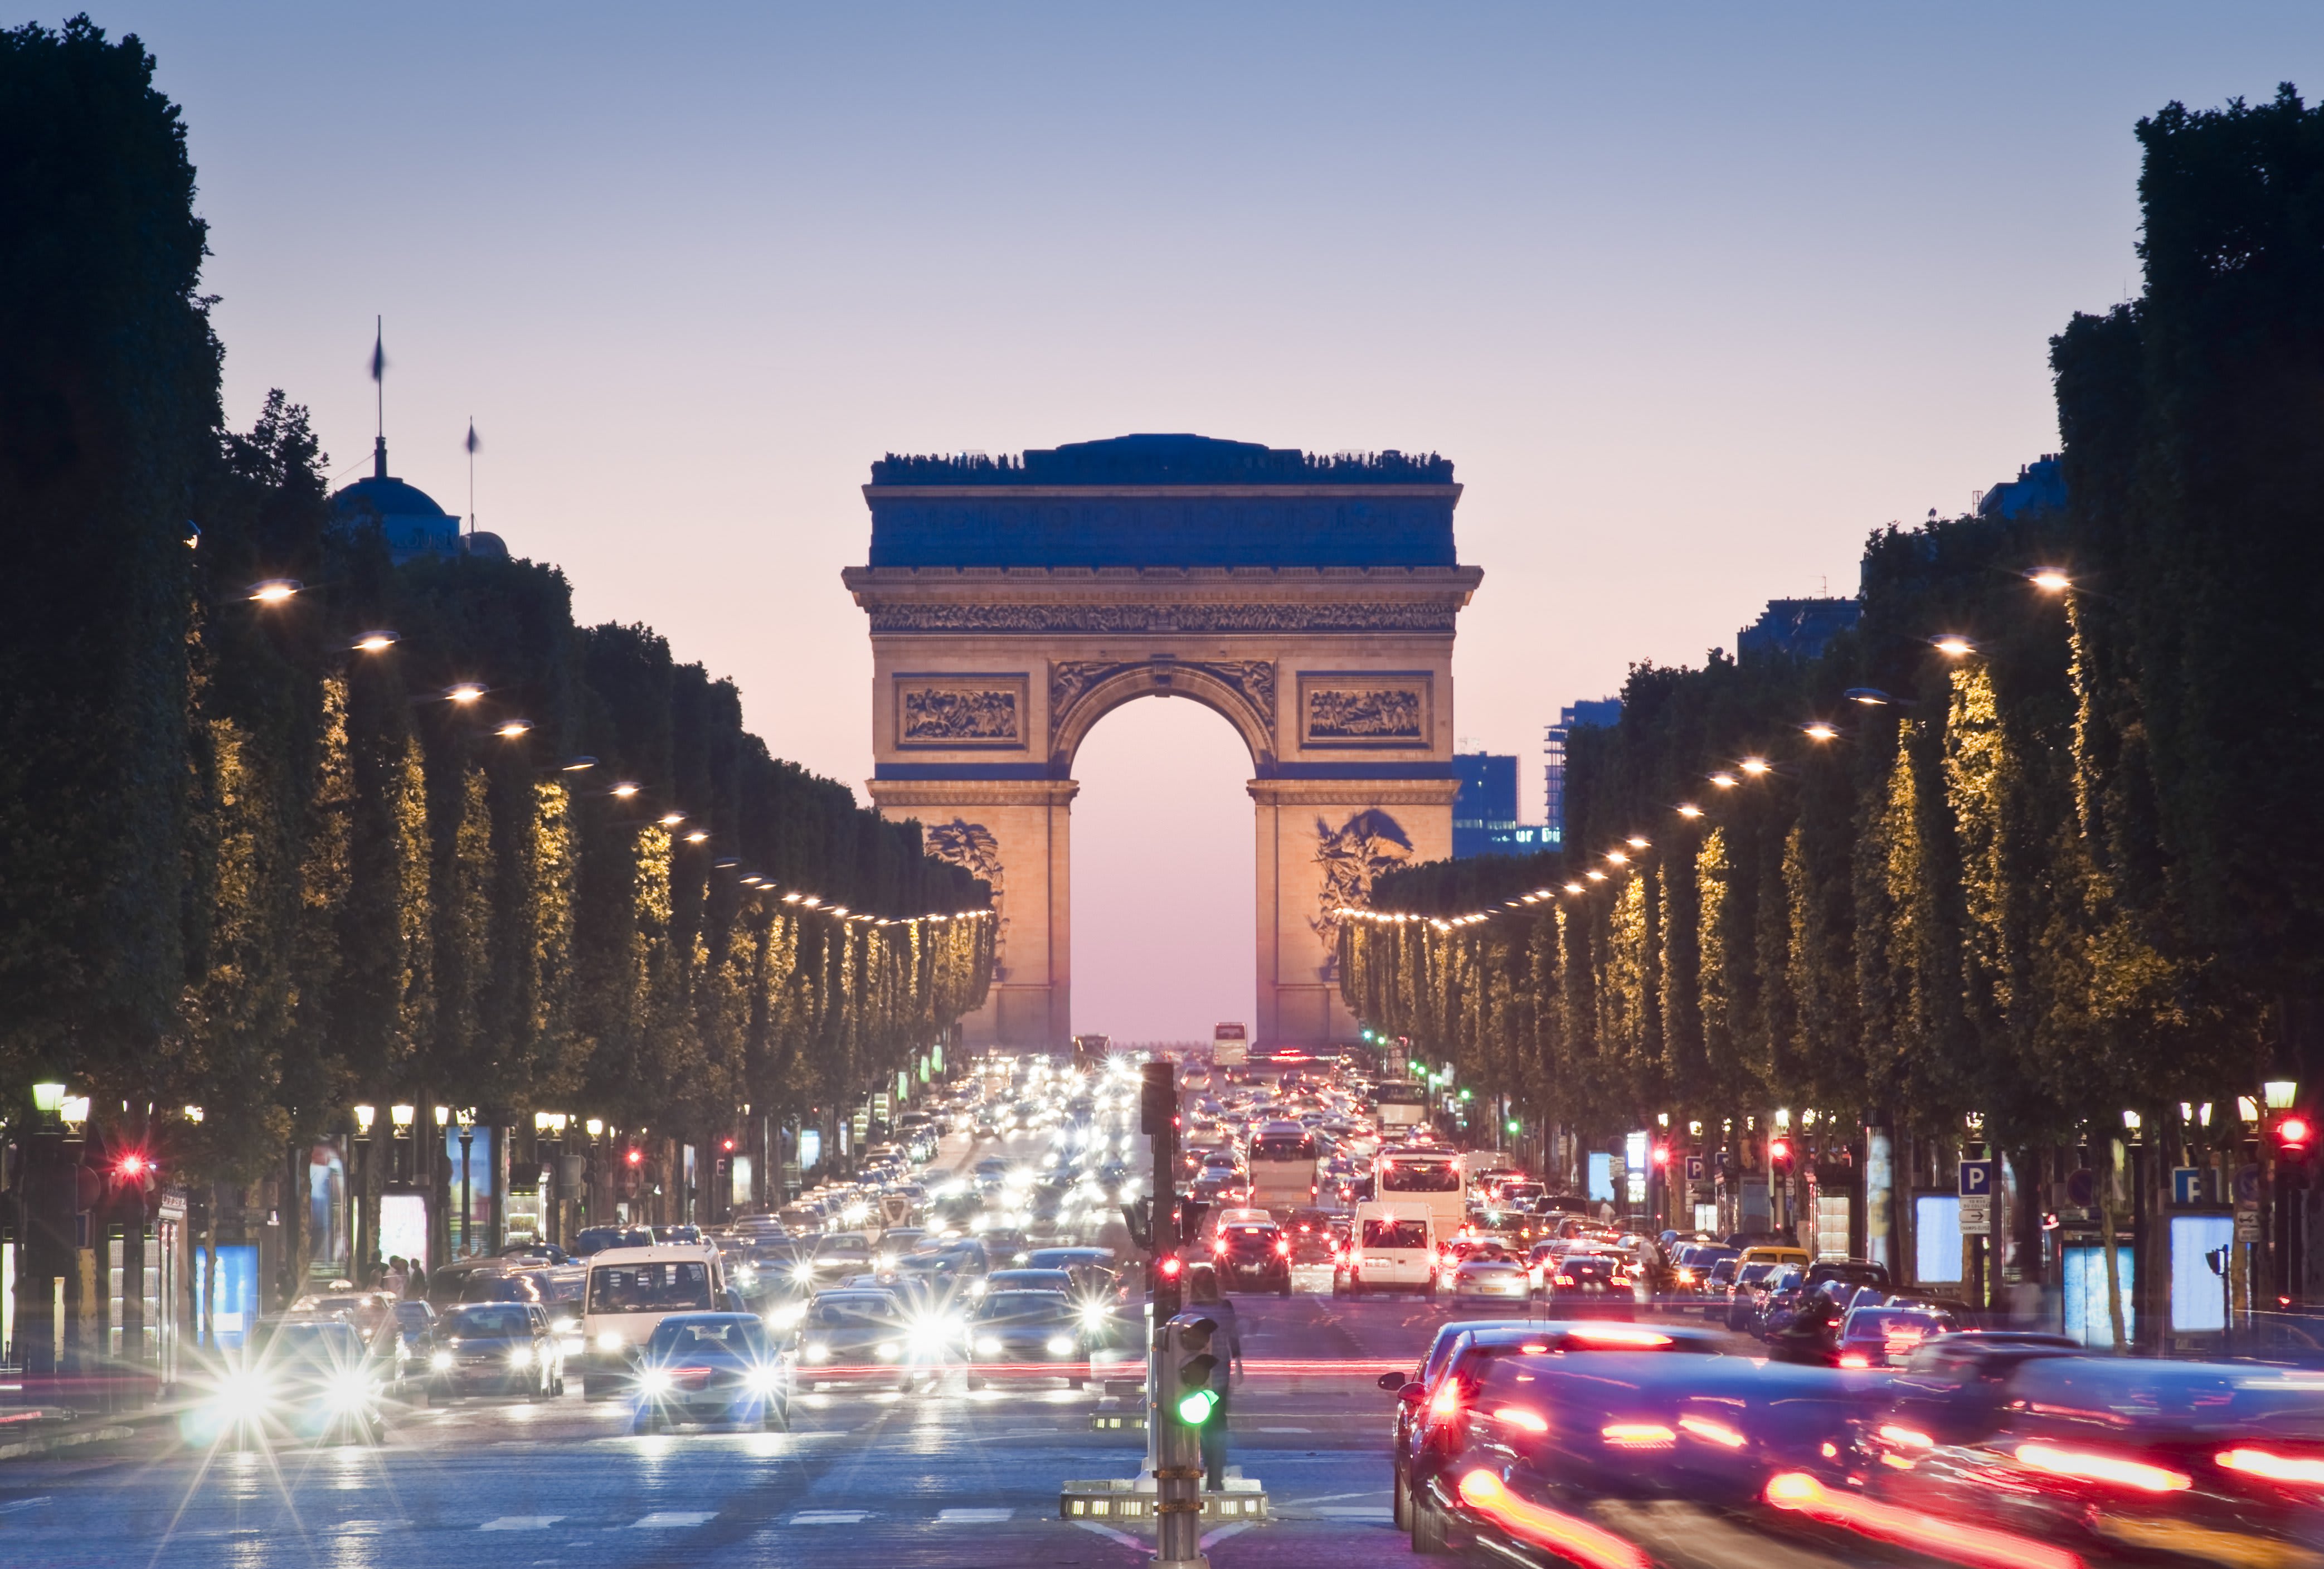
(1163, 875)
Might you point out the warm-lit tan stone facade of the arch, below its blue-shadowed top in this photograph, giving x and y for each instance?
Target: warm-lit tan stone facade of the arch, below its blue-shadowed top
(1340, 680)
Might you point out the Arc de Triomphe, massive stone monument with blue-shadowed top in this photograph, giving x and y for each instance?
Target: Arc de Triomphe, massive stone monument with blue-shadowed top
(1310, 601)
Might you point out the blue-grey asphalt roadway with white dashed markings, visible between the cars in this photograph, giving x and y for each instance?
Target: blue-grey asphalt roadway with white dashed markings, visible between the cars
(940, 1477)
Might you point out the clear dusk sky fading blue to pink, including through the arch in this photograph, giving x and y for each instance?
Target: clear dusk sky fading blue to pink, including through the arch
(1691, 296)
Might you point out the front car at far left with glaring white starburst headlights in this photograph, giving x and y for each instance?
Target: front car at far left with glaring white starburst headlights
(299, 1380)
